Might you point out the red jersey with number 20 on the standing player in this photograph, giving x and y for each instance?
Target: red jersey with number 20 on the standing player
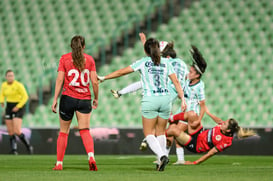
(76, 83)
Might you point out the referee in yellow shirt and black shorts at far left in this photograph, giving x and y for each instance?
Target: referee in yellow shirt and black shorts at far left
(16, 97)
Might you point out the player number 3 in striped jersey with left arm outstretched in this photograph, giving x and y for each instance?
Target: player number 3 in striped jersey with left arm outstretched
(156, 105)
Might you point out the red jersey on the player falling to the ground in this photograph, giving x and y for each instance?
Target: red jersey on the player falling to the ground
(213, 138)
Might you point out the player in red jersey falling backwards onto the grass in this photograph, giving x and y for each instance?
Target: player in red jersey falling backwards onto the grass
(213, 140)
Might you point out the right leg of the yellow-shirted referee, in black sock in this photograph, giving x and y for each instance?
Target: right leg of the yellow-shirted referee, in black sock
(17, 124)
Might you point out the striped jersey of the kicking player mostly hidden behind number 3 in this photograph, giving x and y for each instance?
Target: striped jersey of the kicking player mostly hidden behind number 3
(181, 71)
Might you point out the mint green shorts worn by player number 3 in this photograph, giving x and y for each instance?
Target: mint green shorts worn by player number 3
(153, 106)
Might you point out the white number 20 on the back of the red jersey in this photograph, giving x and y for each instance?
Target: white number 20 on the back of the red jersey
(76, 76)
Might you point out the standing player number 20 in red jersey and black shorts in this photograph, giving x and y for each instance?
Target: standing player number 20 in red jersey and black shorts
(75, 71)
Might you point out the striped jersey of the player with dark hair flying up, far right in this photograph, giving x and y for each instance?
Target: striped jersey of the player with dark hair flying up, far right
(193, 95)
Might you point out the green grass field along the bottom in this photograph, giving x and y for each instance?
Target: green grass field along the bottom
(131, 168)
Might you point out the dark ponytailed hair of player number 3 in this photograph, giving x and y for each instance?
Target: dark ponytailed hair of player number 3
(151, 47)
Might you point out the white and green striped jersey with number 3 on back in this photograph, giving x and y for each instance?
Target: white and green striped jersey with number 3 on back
(154, 79)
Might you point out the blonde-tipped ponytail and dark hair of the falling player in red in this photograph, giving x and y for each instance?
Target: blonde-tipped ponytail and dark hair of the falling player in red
(241, 132)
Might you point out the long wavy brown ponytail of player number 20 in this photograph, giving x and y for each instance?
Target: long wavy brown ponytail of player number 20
(77, 45)
